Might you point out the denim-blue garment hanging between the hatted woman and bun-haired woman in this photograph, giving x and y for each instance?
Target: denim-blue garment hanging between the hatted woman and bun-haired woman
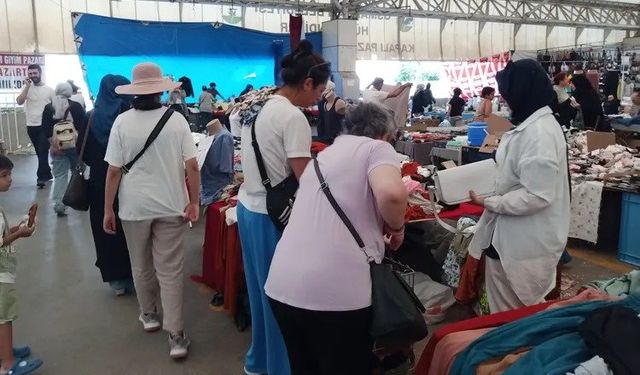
(217, 170)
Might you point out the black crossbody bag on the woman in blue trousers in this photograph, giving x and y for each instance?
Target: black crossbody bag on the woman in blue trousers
(280, 198)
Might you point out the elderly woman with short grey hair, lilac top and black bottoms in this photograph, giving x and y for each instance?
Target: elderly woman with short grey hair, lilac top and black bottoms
(319, 283)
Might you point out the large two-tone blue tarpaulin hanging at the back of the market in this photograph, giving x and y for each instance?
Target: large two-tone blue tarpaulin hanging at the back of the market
(205, 52)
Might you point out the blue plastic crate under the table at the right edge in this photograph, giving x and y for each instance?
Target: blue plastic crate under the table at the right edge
(629, 248)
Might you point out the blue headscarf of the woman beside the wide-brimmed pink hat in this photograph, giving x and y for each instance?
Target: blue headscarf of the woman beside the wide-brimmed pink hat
(108, 106)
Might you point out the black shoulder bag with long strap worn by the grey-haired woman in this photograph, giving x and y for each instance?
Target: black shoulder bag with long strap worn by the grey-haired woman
(396, 310)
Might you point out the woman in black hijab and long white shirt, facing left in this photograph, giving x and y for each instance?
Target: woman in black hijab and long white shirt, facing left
(525, 225)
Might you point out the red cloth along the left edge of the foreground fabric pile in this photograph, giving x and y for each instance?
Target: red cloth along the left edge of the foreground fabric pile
(488, 321)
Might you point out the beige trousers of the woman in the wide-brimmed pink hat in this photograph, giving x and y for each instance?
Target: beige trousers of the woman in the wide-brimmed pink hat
(157, 263)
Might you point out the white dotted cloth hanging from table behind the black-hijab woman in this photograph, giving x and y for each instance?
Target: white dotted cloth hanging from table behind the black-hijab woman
(585, 211)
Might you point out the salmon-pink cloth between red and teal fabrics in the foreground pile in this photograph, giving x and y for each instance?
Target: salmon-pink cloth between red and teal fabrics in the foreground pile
(449, 347)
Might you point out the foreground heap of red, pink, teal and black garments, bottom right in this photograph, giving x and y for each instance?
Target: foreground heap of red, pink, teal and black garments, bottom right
(586, 332)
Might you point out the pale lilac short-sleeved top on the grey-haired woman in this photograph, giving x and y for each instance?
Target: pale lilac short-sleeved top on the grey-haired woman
(317, 264)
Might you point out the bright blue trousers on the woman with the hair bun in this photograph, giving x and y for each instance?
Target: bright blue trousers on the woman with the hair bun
(259, 237)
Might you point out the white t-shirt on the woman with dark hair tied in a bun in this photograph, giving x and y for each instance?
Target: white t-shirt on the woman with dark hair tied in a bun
(282, 133)
